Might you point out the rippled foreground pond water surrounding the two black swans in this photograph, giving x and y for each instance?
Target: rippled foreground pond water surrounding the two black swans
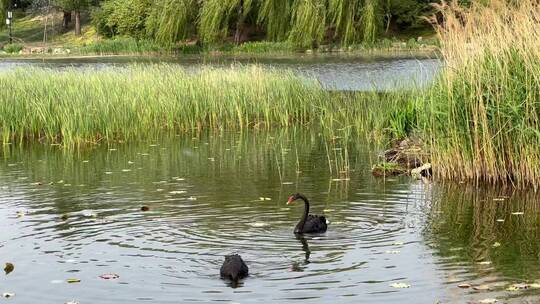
(69, 214)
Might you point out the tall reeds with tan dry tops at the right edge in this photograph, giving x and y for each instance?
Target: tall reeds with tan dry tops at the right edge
(482, 115)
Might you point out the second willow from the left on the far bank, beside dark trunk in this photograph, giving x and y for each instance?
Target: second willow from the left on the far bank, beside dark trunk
(216, 15)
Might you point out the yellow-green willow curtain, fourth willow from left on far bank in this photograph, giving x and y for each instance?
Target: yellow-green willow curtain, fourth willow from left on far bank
(308, 22)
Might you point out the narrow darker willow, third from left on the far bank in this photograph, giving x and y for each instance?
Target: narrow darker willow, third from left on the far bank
(275, 15)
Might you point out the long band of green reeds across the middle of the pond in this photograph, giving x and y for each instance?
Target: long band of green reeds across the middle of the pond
(80, 107)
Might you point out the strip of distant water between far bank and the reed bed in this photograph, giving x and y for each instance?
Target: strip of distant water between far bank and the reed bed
(334, 72)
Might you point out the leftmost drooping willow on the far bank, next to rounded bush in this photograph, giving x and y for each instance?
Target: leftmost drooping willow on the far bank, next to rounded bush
(171, 20)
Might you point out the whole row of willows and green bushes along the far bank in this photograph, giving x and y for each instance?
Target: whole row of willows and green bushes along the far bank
(304, 23)
